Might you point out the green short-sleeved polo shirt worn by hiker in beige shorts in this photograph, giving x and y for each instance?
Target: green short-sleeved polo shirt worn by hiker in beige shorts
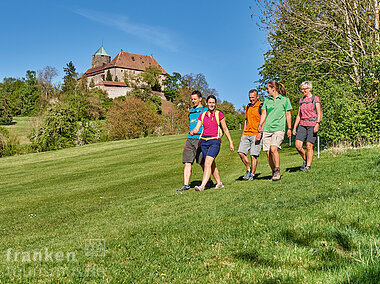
(276, 110)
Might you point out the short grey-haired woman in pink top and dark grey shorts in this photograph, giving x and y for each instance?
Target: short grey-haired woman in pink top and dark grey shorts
(308, 118)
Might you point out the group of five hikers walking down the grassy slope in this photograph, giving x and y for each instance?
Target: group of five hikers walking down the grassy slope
(264, 128)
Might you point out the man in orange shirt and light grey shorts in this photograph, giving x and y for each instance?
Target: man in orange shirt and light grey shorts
(251, 138)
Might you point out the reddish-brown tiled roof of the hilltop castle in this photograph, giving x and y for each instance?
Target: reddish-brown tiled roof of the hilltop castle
(129, 61)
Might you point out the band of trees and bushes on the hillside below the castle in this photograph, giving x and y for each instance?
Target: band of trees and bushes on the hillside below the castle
(76, 113)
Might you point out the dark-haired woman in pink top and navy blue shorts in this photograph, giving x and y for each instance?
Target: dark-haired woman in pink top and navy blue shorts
(210, 140)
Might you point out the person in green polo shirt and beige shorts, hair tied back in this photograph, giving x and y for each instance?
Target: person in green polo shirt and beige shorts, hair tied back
(275, 112)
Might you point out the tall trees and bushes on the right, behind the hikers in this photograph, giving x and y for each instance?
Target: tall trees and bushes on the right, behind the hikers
(335, 44)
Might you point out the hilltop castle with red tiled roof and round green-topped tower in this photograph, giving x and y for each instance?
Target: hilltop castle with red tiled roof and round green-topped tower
(124, 65)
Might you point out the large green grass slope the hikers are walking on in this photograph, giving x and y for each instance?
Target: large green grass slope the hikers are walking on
(109, 212)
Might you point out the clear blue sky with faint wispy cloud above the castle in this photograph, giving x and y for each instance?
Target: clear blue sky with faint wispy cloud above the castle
(216, 38)
